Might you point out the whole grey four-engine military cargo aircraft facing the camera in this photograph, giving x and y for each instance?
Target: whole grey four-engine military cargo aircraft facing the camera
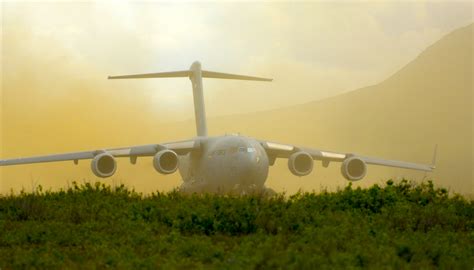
(220, 164)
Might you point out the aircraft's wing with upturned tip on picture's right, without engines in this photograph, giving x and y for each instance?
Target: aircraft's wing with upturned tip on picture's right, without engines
(278, 150)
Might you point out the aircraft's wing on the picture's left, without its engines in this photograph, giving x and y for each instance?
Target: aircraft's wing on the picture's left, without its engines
(180, 147)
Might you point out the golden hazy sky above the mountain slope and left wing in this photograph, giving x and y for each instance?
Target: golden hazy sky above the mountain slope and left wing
(56, 58)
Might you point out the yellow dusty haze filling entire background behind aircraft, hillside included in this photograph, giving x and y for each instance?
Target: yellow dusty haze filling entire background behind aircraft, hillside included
(55, 96)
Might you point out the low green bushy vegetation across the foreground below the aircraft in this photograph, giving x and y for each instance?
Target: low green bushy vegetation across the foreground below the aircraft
(94, 226)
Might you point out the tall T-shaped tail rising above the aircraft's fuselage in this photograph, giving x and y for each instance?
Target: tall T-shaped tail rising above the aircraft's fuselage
(195, 74)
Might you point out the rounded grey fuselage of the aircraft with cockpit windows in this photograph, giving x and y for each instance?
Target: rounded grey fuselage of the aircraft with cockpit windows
(225, 164)
